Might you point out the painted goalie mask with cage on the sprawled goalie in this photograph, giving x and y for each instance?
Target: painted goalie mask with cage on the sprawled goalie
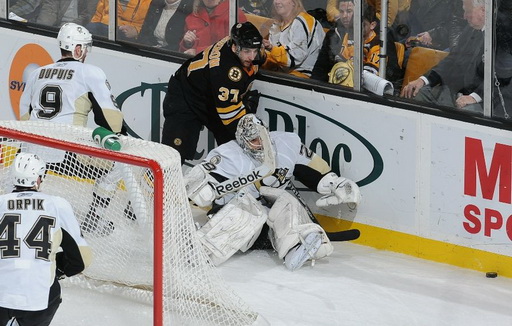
(252, 135)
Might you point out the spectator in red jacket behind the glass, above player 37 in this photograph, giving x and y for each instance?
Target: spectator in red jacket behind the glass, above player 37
(207, 24)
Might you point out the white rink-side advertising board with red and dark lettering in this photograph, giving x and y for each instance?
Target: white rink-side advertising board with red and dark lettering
(419, 174)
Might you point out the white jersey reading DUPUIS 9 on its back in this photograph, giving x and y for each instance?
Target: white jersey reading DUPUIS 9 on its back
(66, 92)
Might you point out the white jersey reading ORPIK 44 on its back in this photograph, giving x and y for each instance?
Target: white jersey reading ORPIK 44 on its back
(33, 226)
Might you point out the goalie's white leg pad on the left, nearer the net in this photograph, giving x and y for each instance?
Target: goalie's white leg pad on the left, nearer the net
(235, 227)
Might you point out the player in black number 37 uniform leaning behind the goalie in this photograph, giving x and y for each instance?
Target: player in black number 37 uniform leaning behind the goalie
(212, 89)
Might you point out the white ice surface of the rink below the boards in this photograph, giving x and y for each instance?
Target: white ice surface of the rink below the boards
(356, 285)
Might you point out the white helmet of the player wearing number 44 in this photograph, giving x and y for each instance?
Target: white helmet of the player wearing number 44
(26, 169)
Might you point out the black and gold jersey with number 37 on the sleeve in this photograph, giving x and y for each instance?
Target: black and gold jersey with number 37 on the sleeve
(214, 83)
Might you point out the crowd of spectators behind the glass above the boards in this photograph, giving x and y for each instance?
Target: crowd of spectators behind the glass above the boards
(309, 39)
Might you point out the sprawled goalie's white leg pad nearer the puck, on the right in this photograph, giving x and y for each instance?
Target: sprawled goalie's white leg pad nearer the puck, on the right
(291, 224)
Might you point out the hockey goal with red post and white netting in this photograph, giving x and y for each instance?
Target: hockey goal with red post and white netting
(134, 213)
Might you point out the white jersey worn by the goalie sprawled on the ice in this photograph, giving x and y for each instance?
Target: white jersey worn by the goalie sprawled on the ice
(231, 161)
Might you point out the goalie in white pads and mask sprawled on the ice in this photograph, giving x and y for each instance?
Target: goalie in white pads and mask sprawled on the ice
(233, 177)
